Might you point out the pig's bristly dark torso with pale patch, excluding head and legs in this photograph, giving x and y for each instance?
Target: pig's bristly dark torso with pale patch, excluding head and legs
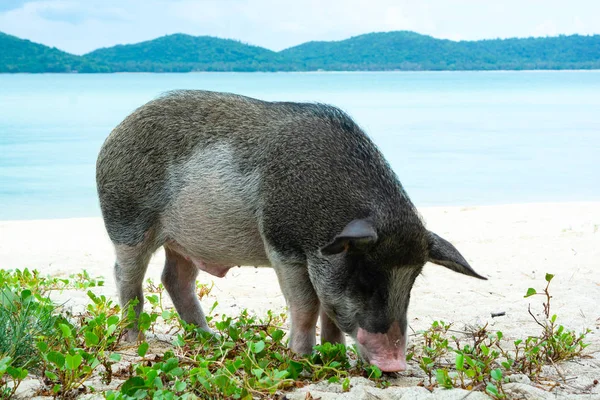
(196, 158)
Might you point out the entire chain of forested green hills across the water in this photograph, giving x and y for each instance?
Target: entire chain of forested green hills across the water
(385, 51)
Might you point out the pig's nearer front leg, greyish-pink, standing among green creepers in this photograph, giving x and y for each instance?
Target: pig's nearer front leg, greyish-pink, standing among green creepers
(303, 303)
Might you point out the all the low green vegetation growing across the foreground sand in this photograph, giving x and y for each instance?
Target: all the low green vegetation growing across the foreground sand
(249, 357)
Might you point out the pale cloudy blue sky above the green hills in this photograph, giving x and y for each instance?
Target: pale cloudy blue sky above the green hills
(80, 26)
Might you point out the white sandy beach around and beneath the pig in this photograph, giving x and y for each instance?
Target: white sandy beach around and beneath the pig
(512, 245)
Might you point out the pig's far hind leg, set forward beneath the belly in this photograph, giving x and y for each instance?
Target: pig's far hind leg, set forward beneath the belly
(179, 278)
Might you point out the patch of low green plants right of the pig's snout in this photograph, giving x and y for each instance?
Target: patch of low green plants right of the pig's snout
(484, 361)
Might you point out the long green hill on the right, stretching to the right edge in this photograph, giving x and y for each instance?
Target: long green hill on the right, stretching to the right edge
(411, 51)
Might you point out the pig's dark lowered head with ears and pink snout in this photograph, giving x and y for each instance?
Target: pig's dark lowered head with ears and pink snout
(364, 279)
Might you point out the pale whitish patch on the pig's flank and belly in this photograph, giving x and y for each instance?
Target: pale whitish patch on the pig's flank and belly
(213, 219)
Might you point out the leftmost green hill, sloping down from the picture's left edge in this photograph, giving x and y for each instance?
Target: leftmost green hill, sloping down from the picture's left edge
(19, 55)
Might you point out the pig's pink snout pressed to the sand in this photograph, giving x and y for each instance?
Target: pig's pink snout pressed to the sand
(384, 350)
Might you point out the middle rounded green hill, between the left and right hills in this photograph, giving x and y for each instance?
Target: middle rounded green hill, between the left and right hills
(184, 53)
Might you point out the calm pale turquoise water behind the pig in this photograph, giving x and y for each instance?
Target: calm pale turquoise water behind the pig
(453, 138)
